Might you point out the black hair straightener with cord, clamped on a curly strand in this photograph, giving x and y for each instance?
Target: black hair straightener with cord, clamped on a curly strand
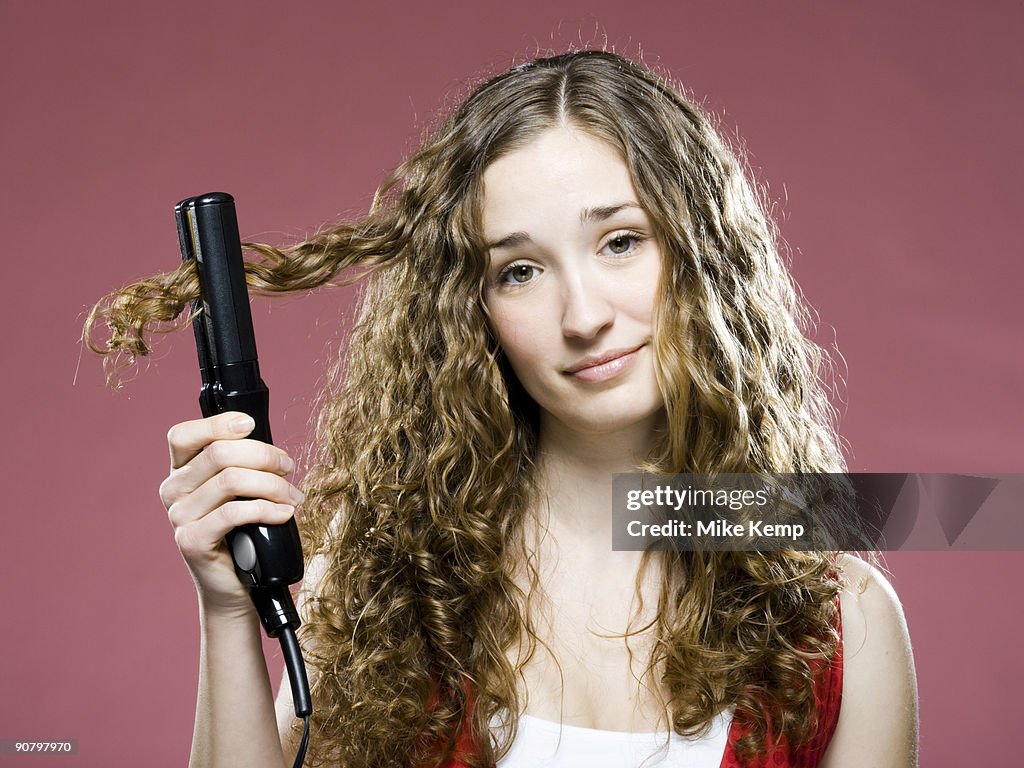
(268, 559)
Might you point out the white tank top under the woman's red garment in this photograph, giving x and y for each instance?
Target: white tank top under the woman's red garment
(543, 744)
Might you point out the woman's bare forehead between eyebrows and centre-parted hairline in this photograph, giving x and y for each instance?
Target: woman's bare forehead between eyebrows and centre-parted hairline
(564, 170)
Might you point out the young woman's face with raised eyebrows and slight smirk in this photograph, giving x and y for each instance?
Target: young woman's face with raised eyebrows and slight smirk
(572, 281)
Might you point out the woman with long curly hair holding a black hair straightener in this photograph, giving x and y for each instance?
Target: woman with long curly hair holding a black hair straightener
(571, 279)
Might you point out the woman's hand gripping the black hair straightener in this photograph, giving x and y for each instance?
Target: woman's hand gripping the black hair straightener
(211, 464)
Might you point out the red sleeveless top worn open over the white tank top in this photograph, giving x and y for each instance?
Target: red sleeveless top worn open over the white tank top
(828, 698)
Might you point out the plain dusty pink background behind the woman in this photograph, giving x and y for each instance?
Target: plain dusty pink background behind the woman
(888, 135)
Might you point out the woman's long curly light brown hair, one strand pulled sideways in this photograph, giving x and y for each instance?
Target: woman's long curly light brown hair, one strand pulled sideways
(424, 472)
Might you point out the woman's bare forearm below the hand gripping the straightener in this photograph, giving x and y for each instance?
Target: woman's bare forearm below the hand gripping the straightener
(235, 715)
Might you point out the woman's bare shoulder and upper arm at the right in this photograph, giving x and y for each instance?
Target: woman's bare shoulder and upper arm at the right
(878, 723)
